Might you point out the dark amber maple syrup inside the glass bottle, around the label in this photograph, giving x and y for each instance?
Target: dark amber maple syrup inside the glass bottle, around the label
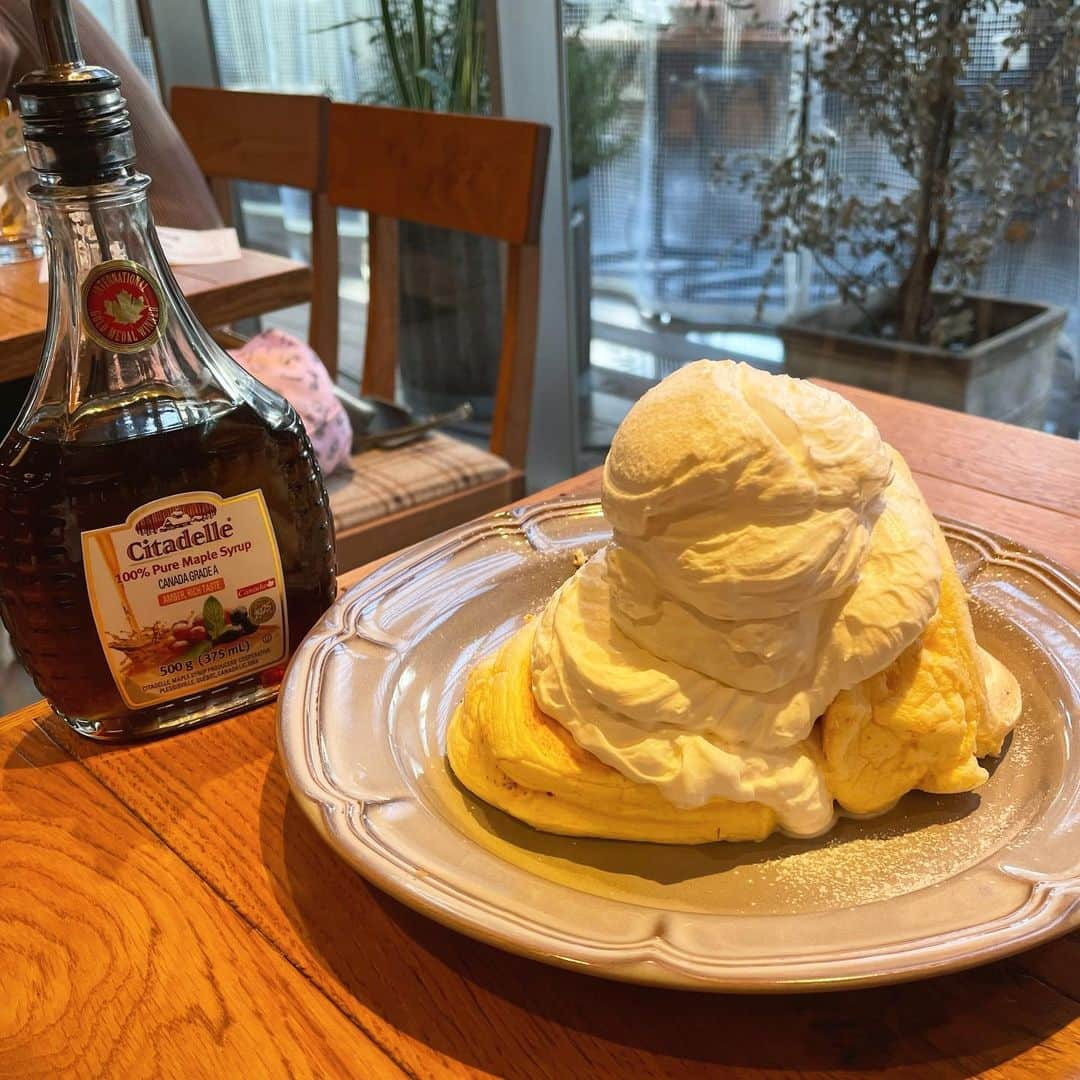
(53, 491)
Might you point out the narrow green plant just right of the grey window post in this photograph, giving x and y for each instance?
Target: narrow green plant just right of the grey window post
(597, 76)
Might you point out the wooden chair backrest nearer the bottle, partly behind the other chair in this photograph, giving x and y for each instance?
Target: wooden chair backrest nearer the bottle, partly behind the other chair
(272, 139)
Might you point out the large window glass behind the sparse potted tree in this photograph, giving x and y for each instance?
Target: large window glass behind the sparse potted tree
(678, 110)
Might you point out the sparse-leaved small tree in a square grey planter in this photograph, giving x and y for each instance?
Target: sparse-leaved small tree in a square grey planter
(982, 133)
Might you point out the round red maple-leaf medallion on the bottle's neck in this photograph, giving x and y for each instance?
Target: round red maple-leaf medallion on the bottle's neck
(123, 307)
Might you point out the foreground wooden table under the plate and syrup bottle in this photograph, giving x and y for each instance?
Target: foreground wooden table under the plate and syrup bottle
(167, 909)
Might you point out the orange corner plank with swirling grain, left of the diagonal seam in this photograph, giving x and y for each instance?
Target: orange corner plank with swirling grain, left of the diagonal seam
(117, 958)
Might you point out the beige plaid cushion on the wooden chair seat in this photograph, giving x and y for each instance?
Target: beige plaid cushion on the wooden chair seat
(384, 482)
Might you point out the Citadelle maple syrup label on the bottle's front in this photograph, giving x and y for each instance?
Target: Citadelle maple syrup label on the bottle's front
(187, 595)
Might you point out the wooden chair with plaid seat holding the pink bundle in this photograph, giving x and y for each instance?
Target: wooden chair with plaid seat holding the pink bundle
(472, 174)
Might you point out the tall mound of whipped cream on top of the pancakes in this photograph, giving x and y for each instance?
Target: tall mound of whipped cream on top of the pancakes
(769, 551)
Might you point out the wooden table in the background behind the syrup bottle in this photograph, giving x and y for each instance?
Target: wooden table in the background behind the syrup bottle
(220, 293)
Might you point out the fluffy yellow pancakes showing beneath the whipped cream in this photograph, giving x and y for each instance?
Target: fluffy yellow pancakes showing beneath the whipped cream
(923, 723)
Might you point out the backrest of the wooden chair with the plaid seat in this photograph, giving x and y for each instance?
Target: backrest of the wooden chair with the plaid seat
(482, 175)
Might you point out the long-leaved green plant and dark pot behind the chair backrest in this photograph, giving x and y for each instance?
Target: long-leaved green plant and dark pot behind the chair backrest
(434, 58)
